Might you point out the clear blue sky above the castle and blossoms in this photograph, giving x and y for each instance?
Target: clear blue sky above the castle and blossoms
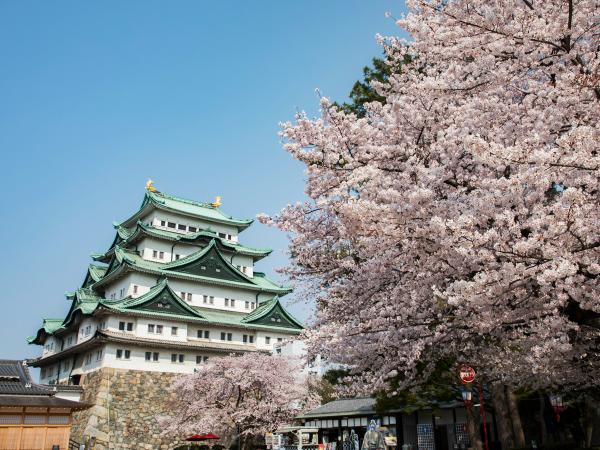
(96, 97)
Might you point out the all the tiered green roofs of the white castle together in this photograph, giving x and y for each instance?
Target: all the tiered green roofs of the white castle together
(208, 266)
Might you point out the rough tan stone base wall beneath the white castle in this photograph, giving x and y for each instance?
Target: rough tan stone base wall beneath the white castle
(126, 404)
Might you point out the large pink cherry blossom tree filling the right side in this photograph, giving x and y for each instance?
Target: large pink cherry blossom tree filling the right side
(460, 218)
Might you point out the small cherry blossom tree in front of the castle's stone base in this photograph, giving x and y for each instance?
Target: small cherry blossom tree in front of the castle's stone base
(246, 395)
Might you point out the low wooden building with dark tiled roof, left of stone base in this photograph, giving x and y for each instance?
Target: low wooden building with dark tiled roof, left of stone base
(32, 417)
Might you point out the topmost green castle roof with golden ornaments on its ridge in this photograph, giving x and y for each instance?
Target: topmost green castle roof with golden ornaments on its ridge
(190, 208)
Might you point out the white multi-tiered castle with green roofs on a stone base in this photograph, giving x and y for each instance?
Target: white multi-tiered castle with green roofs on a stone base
(173, 290)
